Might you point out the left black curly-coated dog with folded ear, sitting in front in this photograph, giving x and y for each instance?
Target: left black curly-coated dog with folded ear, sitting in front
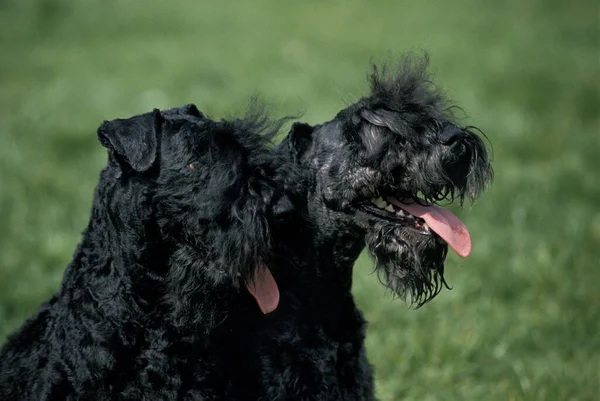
(179, 229)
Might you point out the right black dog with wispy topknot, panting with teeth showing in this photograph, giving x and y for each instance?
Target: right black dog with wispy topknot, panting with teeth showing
(373, 175)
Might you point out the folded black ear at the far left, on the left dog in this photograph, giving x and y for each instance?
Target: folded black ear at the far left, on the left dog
(134, 139)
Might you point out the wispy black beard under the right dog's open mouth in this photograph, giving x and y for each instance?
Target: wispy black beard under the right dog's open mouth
(406, 271)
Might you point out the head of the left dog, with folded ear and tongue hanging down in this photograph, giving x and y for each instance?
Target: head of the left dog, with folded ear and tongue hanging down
(207, 195)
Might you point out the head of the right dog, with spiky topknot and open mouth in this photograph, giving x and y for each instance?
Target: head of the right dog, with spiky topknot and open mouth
(382, 164)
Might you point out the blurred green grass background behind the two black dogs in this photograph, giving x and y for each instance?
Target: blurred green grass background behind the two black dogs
(523, 320)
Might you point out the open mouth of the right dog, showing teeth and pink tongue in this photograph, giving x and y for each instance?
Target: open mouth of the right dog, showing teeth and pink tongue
(423, 220)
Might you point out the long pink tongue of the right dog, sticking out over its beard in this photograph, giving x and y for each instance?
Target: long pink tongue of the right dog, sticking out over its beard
(443, 223)
